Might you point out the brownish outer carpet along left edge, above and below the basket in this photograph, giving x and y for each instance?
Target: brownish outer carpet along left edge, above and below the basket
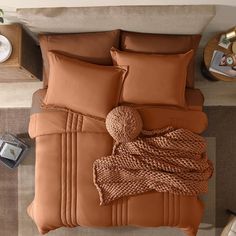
(16, 122)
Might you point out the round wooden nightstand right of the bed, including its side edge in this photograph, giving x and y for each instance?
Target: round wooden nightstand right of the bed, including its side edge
(208, 53)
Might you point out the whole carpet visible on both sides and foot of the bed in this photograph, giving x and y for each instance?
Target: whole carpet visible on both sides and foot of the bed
(17, 186)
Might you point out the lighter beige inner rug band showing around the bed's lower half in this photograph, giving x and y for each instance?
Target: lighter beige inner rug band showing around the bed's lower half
(26, 227)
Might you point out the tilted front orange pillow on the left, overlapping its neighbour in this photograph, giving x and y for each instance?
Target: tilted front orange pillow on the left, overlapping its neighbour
(83, 87)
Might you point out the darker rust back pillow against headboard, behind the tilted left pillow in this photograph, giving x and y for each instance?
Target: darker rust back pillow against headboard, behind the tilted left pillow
(90, 47)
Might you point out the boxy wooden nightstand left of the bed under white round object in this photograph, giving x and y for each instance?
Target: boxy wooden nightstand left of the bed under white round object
(25, 62)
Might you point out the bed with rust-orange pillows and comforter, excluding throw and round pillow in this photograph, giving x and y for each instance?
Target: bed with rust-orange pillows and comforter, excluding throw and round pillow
(68, 122)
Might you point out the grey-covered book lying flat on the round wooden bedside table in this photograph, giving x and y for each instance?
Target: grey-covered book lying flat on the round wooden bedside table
(218, 65)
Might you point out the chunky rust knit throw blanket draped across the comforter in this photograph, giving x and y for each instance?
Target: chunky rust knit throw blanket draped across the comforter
(169, 160)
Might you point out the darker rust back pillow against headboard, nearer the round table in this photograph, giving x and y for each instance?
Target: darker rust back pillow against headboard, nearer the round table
(163, 44)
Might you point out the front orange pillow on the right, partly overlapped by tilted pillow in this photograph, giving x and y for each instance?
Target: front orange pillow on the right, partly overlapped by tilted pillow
(153, 78)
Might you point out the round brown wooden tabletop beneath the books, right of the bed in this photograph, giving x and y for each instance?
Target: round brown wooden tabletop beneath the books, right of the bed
(208, 52)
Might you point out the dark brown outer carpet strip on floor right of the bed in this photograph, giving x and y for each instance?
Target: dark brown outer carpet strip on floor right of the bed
(222, 126)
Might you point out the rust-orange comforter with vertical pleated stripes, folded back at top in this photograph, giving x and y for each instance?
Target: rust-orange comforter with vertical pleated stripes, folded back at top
(67, 144)
